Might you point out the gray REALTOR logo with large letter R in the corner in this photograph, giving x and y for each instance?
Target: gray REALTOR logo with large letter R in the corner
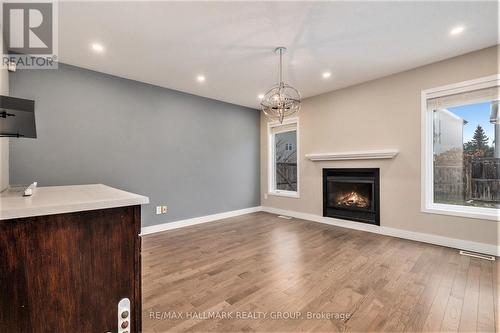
(29, 32)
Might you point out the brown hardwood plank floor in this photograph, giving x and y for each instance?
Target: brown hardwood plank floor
(271, 269)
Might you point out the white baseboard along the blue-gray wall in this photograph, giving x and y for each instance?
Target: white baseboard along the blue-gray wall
(197, 220)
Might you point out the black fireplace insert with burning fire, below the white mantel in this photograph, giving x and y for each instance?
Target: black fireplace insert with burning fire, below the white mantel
(352, 194)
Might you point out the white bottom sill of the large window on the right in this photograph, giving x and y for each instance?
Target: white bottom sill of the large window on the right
(462, 211)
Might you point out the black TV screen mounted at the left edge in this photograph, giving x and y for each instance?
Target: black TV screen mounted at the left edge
(17, 117)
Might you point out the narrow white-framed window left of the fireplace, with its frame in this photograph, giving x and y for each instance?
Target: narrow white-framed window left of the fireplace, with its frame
(283, 162)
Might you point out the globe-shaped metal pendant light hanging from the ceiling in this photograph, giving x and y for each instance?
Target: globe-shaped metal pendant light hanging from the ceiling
(281, 100)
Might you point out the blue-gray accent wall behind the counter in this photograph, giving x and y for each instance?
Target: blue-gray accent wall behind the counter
(196, 155)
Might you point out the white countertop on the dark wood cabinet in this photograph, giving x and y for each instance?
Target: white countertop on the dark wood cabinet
(65, 199)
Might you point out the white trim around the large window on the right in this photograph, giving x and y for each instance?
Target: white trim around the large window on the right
(427, 169)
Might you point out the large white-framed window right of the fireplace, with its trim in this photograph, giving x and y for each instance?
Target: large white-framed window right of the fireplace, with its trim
(461, 161)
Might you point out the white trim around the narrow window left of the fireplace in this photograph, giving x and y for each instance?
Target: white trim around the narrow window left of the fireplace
(271, 175)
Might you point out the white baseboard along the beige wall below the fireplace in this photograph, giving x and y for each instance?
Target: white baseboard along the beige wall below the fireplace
(400, 233)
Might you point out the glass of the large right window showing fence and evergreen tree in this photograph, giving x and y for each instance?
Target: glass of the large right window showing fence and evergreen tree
(466, 152)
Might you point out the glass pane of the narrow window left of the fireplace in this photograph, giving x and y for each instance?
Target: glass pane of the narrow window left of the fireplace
(285, 160)
